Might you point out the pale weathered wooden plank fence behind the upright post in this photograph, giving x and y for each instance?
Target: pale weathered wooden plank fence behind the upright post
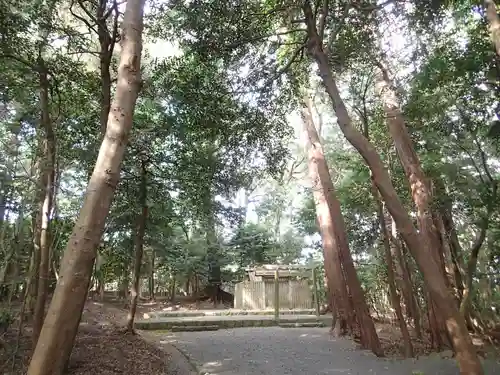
(260, 295)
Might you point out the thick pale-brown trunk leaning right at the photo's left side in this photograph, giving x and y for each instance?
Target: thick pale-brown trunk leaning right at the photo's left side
(61, 324)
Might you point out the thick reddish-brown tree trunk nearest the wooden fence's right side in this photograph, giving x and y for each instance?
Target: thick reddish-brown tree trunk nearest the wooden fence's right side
(335, 243)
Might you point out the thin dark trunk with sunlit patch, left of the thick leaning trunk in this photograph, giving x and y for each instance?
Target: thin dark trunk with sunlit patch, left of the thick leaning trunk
(47, 175)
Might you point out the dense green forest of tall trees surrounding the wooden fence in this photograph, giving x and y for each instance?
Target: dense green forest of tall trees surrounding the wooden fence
(155, 148)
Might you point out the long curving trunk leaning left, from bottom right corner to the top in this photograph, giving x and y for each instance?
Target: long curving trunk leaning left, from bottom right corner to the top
(465, 352)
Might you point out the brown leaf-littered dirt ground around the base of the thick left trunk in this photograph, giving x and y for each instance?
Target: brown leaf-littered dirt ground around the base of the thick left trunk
(101, 348)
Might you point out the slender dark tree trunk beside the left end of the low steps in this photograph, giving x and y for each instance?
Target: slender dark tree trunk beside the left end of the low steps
(139, 246)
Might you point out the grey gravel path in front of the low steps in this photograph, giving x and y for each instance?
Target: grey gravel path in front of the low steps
(300, 351)
